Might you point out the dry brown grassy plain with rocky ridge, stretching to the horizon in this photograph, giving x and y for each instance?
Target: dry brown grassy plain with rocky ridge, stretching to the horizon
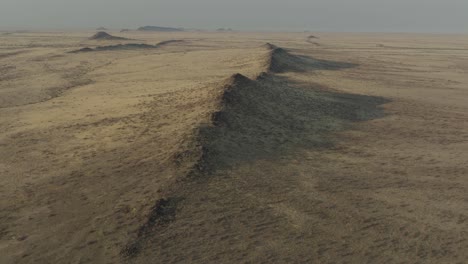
(229, 147)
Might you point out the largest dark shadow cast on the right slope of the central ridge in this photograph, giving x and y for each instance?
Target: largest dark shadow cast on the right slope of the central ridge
(273, 116)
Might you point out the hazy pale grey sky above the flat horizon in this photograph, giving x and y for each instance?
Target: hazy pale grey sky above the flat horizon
(314, 15)
